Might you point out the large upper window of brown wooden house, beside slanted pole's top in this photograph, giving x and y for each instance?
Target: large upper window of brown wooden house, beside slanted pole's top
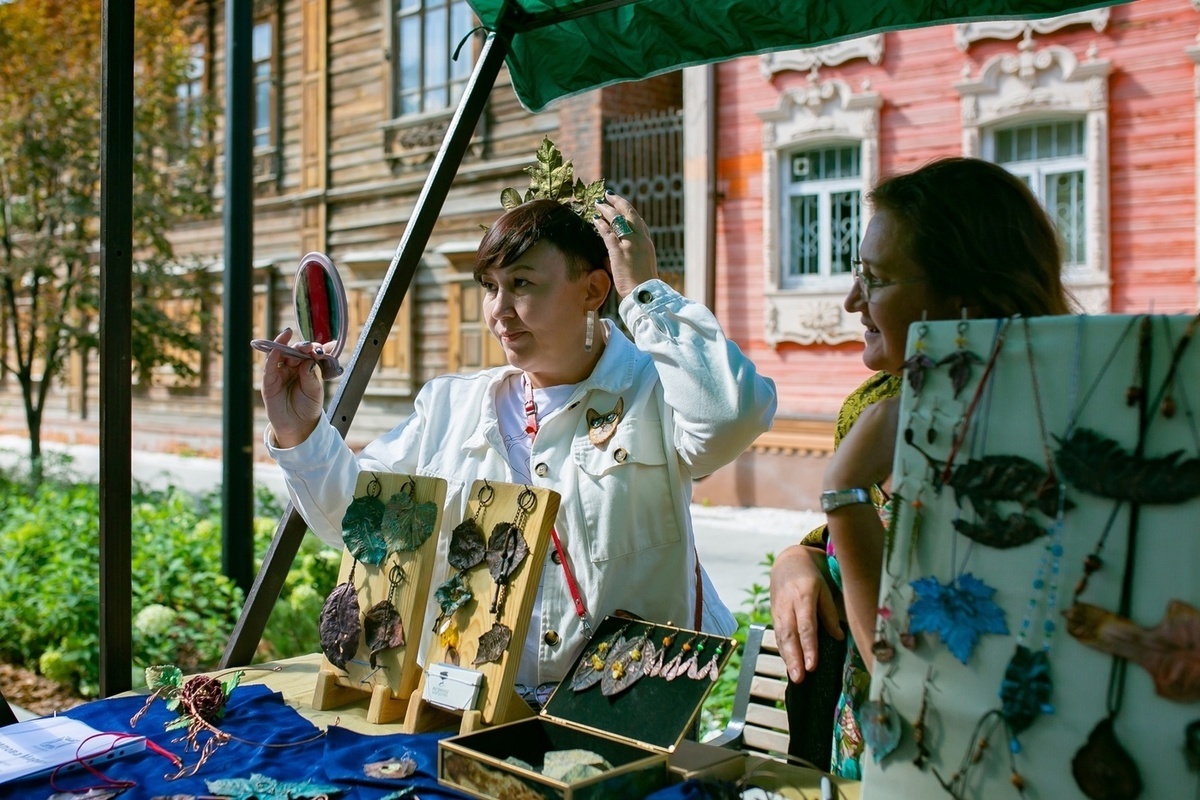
(427, 34)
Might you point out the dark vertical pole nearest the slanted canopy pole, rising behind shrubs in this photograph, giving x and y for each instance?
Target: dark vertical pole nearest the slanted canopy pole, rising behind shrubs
(238, 450)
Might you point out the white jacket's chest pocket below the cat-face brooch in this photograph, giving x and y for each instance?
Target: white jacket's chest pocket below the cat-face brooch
(627, 492)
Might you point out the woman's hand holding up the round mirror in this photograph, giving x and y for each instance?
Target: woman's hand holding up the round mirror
(293, 390)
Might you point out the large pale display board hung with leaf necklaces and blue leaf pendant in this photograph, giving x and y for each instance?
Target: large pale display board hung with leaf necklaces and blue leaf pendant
(949, 681)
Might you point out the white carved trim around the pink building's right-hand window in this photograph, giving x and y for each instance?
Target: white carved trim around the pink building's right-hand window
(1043, 85)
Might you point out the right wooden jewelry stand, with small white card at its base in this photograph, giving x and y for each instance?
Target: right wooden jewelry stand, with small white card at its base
(499, 702)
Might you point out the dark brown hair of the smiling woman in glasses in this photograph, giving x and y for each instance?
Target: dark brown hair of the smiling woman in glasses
(981, 234)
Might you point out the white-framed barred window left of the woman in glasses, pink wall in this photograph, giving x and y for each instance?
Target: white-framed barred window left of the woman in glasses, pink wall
(823, 213)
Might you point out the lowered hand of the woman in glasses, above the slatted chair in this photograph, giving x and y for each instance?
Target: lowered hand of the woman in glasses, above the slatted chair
(801, 600)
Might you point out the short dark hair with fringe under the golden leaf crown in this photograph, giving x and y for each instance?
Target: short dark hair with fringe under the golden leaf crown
(537, 221)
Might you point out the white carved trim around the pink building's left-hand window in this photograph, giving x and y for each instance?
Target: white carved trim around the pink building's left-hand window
(821, 115)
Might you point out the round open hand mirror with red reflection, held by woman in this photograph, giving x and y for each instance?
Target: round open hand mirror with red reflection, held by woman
(321, 315)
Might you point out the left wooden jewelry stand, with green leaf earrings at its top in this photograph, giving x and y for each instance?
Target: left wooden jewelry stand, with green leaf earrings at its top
(392, 685)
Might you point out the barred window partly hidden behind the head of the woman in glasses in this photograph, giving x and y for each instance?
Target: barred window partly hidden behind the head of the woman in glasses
(1052, 159)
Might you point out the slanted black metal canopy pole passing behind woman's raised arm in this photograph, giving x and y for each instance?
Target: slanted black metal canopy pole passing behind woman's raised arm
(292, 528)
